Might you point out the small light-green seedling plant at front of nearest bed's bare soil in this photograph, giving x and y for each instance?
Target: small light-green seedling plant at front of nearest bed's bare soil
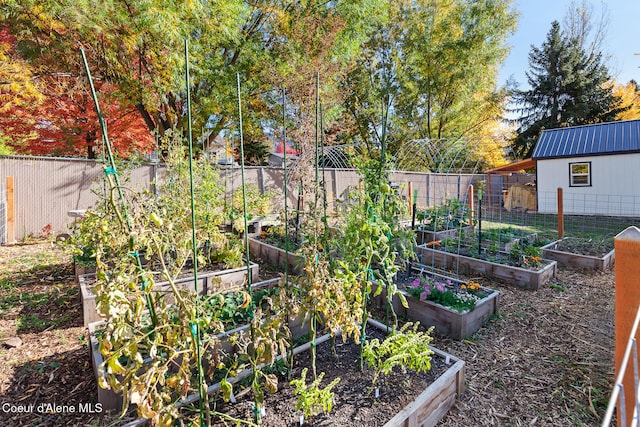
(313, 399)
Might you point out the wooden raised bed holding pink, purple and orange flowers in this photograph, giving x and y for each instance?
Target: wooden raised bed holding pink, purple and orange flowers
(447, 321)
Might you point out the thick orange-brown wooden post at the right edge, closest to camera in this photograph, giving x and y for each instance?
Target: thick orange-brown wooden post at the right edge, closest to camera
(627, 297)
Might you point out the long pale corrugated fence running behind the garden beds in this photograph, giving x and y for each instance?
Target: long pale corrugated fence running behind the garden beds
(46, 189)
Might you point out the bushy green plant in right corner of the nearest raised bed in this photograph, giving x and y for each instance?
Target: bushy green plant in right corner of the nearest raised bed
(407, 347)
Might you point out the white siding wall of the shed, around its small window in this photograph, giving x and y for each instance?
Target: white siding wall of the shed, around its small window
(614, 190)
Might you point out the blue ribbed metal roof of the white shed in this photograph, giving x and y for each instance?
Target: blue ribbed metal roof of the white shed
(589, 140)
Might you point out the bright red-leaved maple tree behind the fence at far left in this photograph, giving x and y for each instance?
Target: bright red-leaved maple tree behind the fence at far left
(62, 119)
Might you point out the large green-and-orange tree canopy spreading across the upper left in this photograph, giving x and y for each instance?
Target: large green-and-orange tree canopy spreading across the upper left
(137, 46)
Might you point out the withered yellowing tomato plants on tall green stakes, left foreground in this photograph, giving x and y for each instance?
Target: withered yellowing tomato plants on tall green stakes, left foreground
(154, 342)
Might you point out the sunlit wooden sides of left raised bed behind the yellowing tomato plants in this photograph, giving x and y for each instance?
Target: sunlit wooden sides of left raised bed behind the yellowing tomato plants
(228, 279)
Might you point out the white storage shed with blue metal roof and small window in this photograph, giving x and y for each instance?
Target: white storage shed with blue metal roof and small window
(597, 166)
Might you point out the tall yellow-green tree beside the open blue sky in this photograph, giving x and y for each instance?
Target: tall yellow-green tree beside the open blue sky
(432, 65)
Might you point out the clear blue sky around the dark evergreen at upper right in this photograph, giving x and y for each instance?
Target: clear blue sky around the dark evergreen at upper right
(622, 41)
